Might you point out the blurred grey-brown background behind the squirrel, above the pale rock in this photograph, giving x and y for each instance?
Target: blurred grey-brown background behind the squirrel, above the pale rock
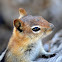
(51, 10)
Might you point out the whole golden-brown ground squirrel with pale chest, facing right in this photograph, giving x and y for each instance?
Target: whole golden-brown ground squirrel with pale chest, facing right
(25, 43)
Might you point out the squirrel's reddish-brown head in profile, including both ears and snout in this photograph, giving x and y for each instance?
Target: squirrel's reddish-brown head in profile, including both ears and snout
(31, 26)
